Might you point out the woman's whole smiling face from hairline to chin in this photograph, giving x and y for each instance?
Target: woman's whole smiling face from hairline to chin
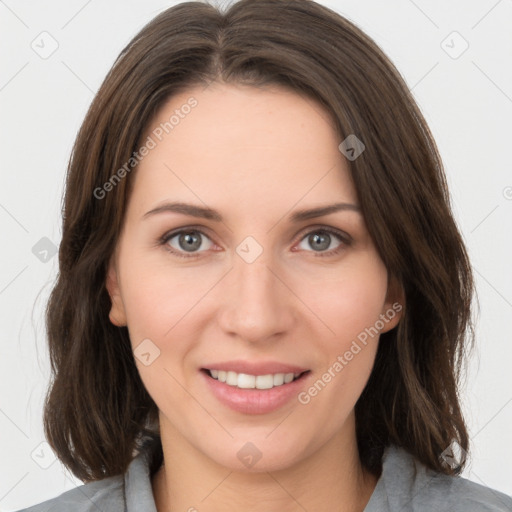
(245, 282)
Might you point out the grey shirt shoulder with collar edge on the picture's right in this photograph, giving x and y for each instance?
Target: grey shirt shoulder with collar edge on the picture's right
(407, 484)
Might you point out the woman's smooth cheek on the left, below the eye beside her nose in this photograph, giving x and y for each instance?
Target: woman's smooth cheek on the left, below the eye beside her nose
(162, 313)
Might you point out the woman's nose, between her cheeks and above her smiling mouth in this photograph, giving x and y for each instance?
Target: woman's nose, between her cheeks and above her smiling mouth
(257, 305)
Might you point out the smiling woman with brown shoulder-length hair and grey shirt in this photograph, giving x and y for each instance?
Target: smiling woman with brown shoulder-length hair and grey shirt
(264, 301)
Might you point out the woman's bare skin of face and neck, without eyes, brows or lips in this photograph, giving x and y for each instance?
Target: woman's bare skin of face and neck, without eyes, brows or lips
(255, 155)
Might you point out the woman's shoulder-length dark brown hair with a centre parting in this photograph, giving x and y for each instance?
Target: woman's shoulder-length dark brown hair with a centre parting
(98, 414)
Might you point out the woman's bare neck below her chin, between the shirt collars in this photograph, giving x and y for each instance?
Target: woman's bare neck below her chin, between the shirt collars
(331, 479)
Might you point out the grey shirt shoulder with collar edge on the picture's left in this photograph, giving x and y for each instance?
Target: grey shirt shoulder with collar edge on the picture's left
(111, 494)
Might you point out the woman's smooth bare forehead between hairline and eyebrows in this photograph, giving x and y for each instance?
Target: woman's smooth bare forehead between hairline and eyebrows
(262, 147)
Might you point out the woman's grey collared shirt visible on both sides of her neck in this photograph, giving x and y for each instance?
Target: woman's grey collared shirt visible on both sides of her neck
(404, 485)
